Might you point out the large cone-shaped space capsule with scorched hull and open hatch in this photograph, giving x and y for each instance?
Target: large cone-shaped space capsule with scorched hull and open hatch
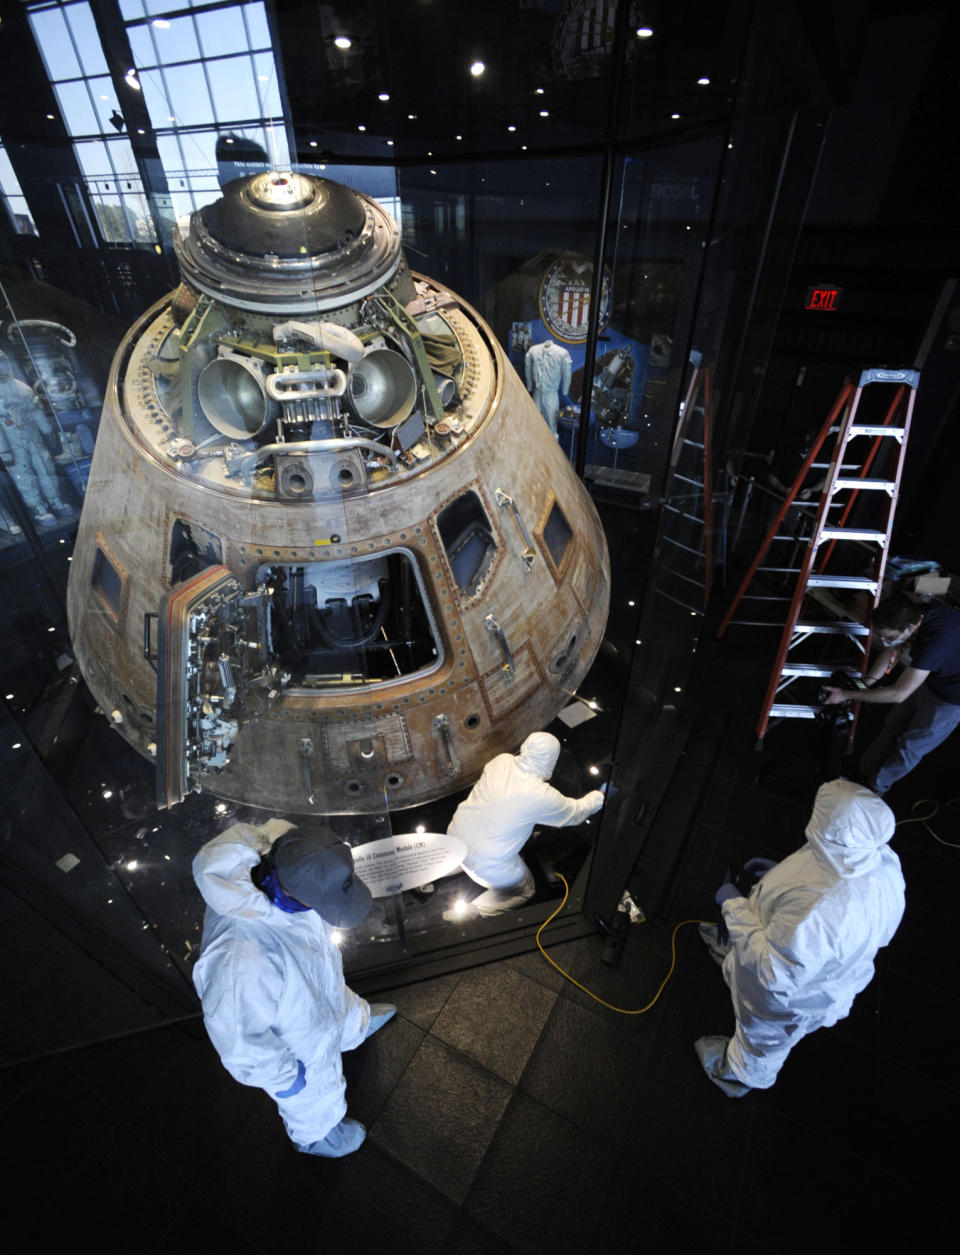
(332, 558)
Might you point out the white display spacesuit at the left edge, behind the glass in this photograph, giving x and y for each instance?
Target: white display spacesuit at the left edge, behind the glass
(23, 426)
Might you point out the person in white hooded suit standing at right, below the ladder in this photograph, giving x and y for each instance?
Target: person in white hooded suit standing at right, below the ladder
(803, 944)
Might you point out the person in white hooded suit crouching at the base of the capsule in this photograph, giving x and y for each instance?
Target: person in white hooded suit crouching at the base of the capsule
(498, 819)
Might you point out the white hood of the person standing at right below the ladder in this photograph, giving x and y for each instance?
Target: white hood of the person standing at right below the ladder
(849, 828)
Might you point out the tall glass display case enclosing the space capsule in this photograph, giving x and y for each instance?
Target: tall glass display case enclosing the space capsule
(371, 386)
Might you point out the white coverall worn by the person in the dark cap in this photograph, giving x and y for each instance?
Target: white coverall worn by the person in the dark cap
(273, 990)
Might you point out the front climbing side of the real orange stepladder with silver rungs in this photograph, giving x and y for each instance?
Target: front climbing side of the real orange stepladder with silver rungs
(846, 555)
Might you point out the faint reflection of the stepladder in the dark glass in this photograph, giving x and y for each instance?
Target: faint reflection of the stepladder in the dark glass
(687, 535)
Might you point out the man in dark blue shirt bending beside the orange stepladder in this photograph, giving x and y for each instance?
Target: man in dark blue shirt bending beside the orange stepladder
(927, 693)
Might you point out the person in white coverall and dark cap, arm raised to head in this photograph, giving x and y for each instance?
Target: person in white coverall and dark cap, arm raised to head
(272, 980)
